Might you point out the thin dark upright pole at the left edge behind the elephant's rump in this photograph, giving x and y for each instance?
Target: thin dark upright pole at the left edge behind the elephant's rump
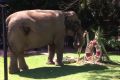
(4, 42)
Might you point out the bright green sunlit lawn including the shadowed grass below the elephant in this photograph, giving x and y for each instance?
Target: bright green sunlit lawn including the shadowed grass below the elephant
(39, 70)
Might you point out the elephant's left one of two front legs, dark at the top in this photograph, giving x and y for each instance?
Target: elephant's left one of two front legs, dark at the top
(51, 51)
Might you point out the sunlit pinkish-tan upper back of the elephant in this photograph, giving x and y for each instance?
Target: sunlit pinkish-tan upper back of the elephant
(36, 17)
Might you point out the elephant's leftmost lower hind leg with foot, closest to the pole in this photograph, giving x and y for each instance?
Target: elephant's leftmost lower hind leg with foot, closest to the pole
(13, 68)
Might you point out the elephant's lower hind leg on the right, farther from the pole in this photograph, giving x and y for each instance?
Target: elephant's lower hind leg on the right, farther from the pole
(22, 63)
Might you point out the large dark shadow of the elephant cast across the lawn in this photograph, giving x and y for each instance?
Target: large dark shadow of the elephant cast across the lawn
(54, 72)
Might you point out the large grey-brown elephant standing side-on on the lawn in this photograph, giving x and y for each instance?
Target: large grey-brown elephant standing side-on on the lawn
(30, 29)
